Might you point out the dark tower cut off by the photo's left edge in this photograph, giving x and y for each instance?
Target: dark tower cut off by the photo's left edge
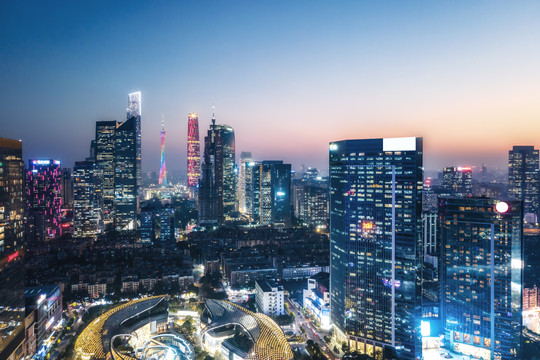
(12, 311)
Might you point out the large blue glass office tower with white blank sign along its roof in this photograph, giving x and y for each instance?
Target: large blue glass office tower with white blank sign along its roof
(376, 245)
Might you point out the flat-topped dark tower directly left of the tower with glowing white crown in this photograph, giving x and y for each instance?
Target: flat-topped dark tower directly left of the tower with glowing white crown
(105, 144)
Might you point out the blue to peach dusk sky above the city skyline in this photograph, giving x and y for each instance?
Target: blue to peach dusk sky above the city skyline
(288, 76)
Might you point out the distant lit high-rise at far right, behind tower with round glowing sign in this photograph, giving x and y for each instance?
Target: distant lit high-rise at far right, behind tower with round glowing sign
(523, 178)
